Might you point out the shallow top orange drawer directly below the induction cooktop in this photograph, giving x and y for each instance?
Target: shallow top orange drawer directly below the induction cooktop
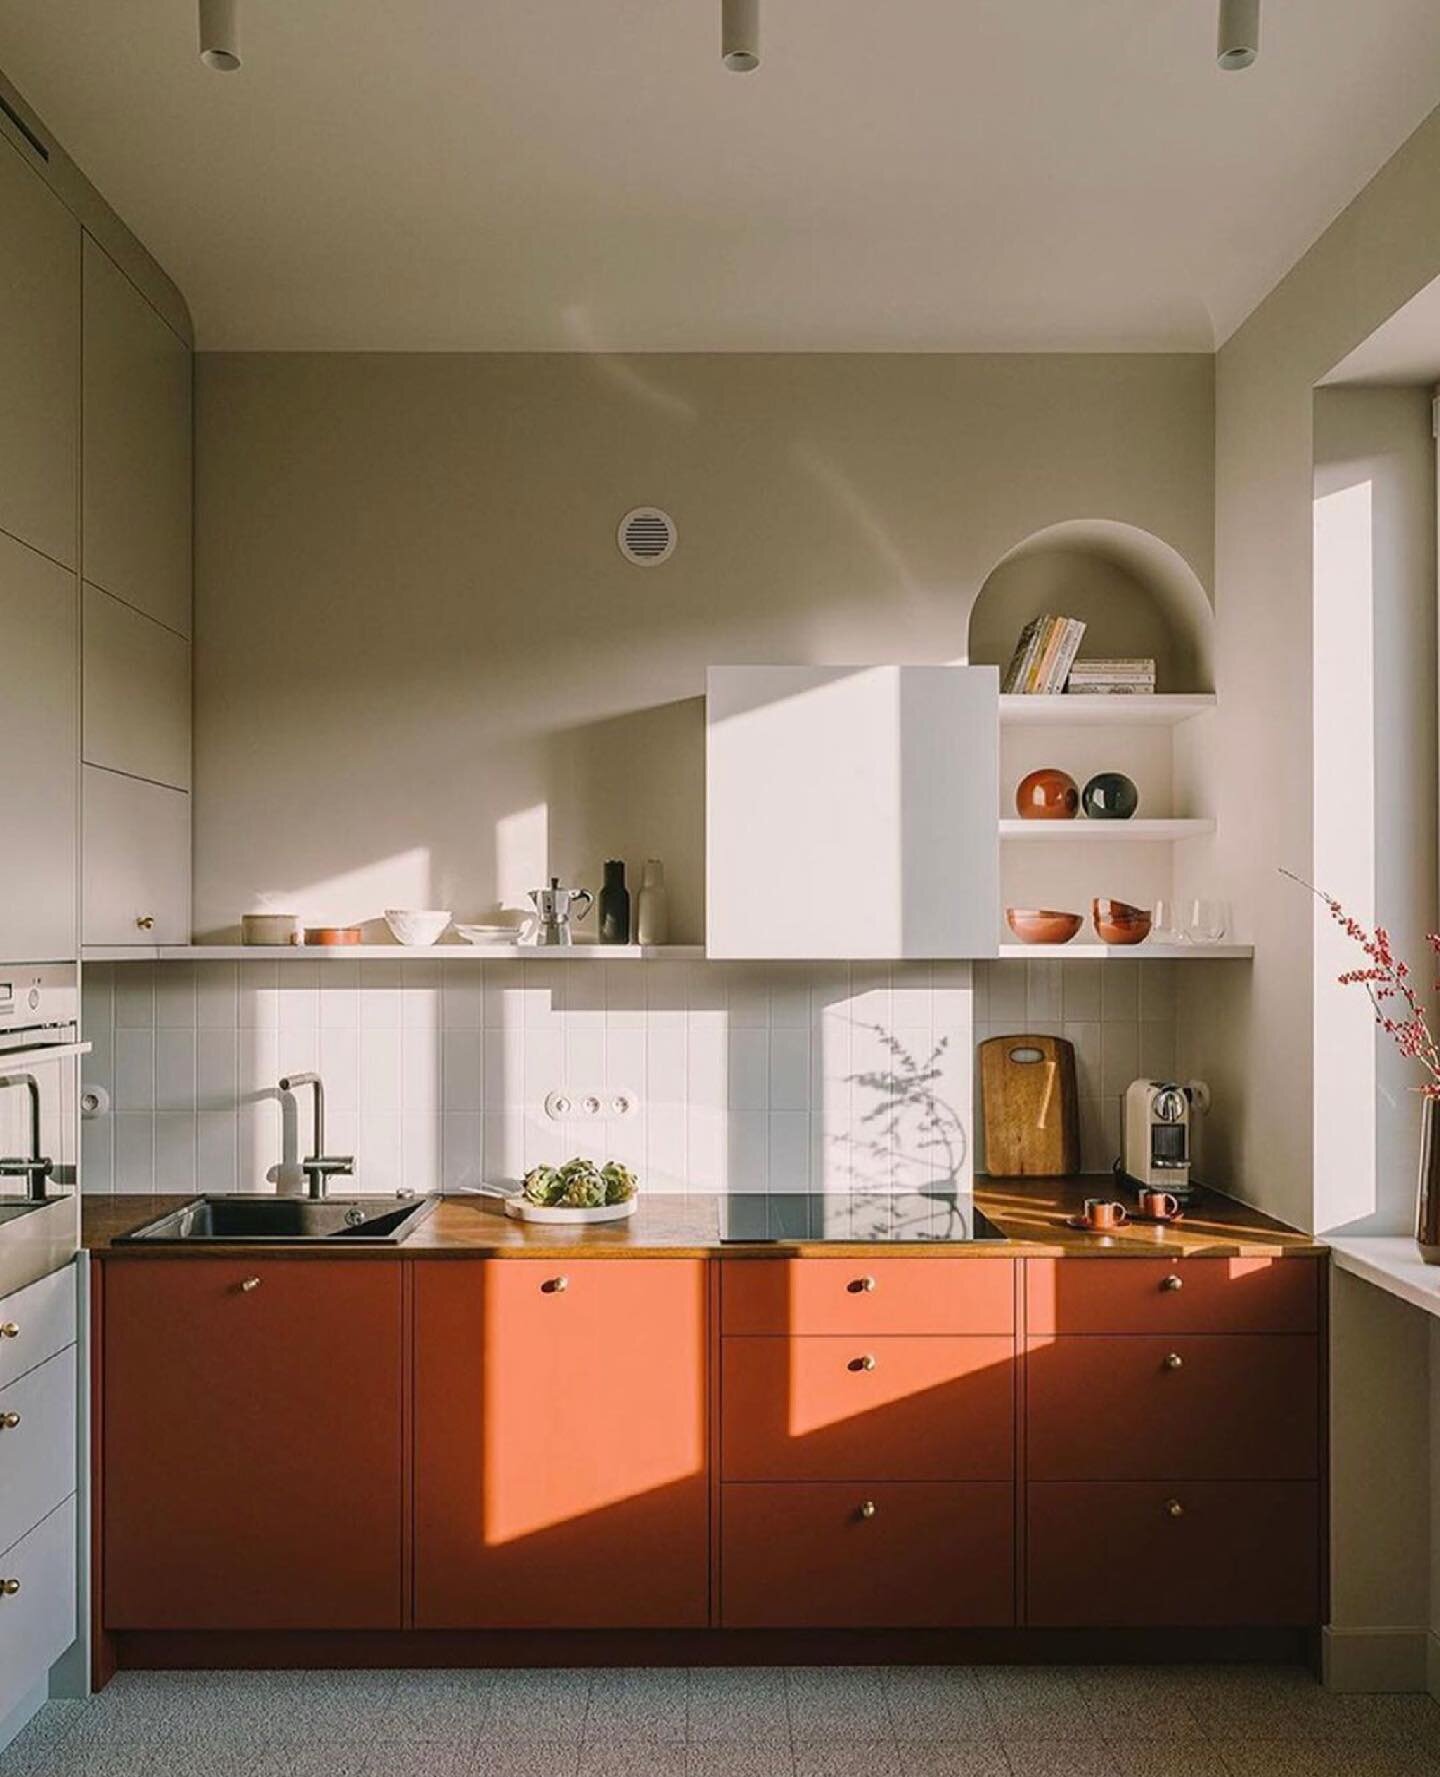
(868, 1296)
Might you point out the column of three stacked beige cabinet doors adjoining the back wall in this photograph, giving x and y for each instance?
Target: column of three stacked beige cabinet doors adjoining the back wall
(136, 562)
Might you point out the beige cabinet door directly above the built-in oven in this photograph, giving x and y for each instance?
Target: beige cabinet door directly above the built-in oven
(40, 665)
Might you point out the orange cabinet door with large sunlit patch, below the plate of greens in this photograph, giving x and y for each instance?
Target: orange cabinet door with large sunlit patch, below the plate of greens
(561, 1446)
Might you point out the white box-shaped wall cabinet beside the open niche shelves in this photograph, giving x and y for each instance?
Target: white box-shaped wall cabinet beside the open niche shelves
(851, 811)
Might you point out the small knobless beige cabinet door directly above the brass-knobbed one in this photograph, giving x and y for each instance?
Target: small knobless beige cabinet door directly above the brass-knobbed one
(136, 694)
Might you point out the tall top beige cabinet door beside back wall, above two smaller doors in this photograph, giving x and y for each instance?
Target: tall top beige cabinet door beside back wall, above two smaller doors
(138, 449)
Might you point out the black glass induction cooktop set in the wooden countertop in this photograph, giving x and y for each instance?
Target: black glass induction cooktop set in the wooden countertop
(854, 1216)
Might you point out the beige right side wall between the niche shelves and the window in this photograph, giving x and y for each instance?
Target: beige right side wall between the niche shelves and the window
(1256, 1026)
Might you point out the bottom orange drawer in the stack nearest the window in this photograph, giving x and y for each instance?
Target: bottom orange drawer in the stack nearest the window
(1114, 1556)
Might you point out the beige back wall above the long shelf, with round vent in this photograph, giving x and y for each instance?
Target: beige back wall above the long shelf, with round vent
(419, 649)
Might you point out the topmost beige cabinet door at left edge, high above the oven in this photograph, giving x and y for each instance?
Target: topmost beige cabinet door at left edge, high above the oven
(40, 362)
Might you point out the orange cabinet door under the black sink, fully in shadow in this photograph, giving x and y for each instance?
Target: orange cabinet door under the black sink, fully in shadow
(252, 1449)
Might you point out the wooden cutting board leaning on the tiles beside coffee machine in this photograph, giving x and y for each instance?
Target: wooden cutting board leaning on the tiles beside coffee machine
(1028, 1096)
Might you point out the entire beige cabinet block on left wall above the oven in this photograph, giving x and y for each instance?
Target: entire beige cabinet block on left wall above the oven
(95, 570)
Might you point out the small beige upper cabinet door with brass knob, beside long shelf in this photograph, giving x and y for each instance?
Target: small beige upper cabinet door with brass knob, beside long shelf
(138, 861)
